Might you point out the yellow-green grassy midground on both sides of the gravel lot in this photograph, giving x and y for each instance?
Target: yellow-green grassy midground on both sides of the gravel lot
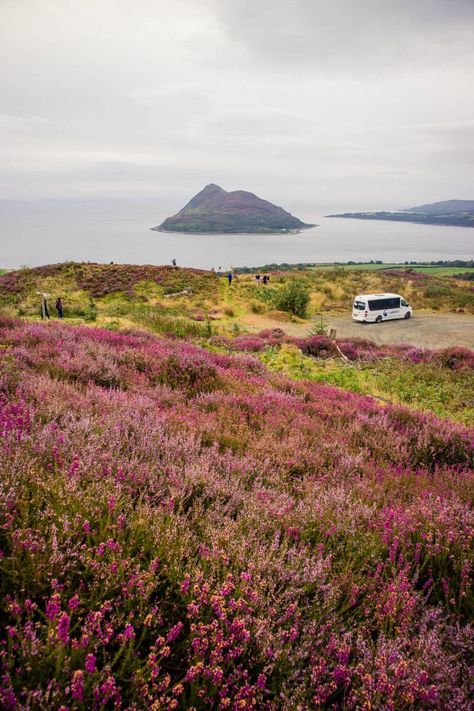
(149, 297)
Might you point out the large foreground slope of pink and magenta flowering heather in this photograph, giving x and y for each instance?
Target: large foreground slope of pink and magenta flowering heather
(183, 529)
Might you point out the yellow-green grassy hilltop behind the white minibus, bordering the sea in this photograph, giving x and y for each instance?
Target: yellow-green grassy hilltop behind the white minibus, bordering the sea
(127, 294)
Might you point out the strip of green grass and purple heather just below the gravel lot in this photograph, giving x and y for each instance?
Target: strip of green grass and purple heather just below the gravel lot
(439, 381)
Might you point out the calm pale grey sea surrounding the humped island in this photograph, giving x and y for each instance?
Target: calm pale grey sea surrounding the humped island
(35, 234)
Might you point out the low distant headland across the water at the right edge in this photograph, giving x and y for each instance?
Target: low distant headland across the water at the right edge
(456, 213)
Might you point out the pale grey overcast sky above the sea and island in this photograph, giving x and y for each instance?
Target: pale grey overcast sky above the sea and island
(354, 103)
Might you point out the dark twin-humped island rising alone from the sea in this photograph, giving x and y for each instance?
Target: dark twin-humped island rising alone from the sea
(216, 210)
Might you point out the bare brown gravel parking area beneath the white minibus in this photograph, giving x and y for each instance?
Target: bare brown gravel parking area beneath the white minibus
(424, 329)
